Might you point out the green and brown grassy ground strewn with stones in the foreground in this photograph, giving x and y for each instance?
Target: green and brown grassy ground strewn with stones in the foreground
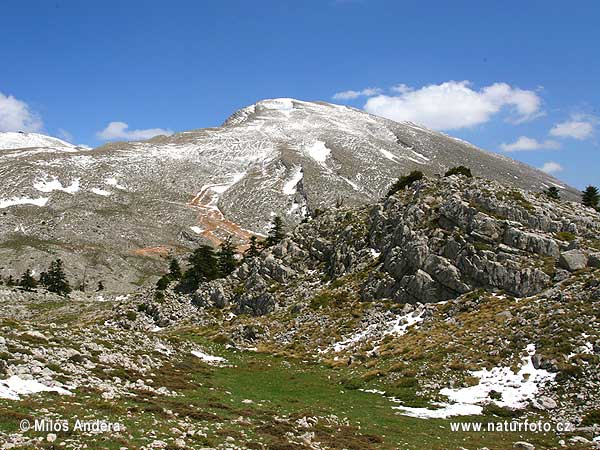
(256, 401)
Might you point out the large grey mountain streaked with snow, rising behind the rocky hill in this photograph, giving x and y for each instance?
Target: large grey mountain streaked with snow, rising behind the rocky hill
(112, 212)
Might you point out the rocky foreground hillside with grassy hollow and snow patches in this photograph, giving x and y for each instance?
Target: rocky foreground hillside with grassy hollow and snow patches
(453, 303)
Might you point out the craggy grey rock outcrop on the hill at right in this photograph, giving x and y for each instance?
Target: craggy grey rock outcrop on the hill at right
(436, 240)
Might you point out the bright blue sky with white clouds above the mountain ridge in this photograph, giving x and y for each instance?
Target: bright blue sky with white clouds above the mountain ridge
(488, 72)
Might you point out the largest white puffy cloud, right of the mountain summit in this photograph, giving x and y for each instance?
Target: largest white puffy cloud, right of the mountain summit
(454, 104)
